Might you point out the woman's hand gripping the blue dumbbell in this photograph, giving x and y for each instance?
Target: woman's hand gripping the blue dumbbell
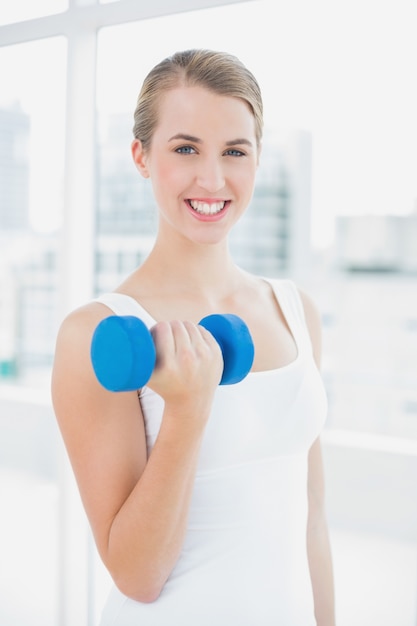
(189, 366)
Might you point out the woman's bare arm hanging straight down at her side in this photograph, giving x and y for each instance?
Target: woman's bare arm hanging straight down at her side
(318, 544)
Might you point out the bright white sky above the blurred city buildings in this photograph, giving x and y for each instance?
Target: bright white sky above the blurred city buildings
(343, 71)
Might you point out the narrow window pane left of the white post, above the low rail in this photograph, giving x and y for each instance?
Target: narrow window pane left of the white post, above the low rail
(32, 105)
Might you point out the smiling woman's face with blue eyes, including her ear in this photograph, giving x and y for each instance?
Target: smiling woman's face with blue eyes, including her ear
(202, 162)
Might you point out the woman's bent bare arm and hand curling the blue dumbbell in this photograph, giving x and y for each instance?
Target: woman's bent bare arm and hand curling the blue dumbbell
(137, 507)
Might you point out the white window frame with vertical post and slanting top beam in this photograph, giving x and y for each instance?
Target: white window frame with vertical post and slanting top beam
(80, 25)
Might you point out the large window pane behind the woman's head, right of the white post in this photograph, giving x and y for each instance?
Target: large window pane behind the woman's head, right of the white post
(312, 99)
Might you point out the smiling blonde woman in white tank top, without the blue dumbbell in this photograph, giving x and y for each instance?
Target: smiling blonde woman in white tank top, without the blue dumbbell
(206, 502)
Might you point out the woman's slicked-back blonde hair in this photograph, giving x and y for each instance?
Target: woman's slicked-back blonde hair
(219, 72)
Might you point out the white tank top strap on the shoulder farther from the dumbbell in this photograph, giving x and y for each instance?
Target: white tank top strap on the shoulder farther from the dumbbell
(289, 300)
